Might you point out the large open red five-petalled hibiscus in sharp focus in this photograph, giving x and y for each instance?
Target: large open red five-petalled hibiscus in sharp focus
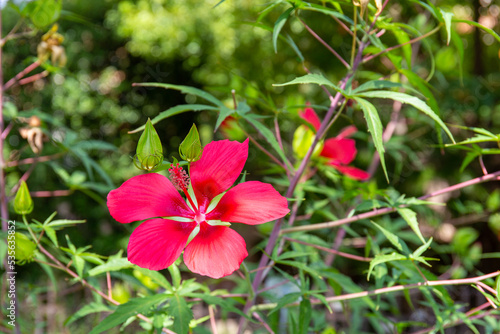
(199, 224)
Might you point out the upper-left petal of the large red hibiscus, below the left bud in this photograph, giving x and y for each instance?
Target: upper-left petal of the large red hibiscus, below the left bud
(146, 196)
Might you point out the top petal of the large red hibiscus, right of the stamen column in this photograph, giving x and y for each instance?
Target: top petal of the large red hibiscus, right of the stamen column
(220, 165)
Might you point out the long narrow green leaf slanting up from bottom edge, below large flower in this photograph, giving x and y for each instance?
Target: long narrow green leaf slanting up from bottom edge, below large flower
(127, 310)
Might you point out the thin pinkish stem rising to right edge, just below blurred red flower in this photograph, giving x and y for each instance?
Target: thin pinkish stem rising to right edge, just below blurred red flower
(379, 212)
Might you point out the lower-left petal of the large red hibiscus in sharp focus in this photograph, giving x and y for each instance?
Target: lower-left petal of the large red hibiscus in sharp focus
(157, 243)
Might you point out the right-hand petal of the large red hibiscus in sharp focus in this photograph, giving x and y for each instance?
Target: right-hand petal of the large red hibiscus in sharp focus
(250, 203)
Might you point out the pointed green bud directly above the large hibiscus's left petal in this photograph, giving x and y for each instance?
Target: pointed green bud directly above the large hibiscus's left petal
(149, 154)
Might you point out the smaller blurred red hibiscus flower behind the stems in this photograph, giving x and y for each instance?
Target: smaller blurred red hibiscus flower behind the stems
(340, 151)
